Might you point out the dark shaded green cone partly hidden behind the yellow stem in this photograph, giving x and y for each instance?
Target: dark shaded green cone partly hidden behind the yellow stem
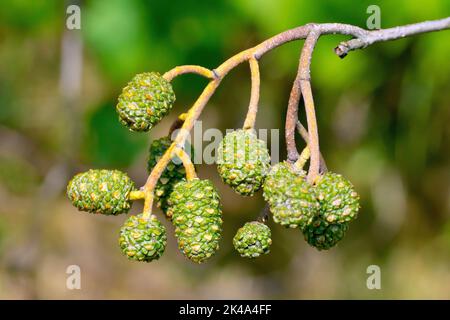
(174, 172)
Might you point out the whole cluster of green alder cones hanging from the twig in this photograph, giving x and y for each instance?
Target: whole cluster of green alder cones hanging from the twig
(322, 210)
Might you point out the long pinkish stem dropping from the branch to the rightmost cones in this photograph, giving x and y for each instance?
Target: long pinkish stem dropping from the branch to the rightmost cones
(305, 85)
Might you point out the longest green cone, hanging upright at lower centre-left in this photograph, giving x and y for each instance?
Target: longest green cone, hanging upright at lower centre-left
(197, 216)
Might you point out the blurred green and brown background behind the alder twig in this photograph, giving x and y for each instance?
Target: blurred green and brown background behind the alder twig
(383, 116)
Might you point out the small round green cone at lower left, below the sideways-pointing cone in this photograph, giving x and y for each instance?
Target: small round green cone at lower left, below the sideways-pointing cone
(143, 239)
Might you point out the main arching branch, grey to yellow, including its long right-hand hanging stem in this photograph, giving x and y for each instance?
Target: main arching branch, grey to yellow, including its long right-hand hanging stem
(312, 31)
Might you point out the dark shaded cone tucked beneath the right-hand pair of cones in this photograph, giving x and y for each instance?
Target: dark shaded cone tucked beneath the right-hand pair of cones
(324, 235)
